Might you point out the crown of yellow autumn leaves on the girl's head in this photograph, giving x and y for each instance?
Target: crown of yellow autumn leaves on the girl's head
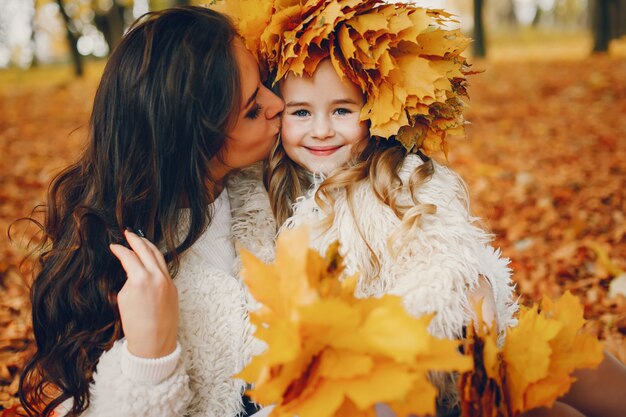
(404, 59)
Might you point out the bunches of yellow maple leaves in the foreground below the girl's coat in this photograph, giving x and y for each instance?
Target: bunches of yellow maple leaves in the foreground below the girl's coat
(330, 354)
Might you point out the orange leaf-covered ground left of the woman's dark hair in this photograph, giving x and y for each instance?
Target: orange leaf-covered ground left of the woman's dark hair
(38, 137)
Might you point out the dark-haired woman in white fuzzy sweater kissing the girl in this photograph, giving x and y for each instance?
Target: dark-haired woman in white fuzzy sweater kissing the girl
(179, 106)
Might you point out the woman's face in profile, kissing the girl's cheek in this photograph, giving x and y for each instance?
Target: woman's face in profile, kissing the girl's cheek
(257, 121)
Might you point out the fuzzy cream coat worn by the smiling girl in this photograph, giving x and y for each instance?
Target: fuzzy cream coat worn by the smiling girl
(437, 266)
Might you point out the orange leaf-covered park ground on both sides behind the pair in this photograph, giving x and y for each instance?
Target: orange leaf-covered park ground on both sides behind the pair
(544, 159)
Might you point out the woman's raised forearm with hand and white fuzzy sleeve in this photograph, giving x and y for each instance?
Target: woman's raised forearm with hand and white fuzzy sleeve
(141, 374)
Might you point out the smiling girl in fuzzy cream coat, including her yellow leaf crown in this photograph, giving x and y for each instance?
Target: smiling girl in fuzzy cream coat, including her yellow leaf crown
(366, 91)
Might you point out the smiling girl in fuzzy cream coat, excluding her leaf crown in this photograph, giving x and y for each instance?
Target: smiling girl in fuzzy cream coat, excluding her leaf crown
(402, 220)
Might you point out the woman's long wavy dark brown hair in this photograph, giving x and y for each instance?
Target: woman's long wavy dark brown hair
(160, 114)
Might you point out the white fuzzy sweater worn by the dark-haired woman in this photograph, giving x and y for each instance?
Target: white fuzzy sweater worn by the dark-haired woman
(215, 342)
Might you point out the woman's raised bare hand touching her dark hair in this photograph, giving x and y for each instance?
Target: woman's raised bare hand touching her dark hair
(148, 301)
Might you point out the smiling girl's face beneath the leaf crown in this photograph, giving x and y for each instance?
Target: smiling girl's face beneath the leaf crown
(321, 129)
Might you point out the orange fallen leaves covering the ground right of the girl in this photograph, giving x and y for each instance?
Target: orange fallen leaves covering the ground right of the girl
(545, 162)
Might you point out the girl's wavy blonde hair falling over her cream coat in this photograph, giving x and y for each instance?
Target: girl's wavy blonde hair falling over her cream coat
(380, 162)
